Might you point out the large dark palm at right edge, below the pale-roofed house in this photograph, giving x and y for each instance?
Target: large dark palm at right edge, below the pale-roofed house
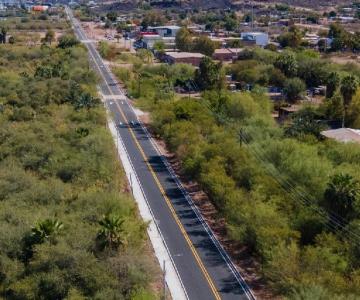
(341, 194)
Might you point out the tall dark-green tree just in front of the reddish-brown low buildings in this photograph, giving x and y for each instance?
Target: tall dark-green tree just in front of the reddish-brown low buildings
(209, 75)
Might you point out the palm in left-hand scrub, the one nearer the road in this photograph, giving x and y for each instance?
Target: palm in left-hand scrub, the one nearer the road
(111, 234)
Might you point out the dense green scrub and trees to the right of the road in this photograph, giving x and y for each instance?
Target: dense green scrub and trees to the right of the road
(288, 195)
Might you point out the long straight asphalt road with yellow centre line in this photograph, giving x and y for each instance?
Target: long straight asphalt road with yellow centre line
(204, 267)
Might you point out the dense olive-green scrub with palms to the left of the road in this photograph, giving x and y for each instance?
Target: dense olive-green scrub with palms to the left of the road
(68, 227)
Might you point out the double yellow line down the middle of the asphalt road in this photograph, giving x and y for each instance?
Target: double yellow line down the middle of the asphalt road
(167, 200)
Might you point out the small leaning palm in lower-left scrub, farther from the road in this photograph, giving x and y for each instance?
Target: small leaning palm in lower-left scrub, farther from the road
(46, 229)
